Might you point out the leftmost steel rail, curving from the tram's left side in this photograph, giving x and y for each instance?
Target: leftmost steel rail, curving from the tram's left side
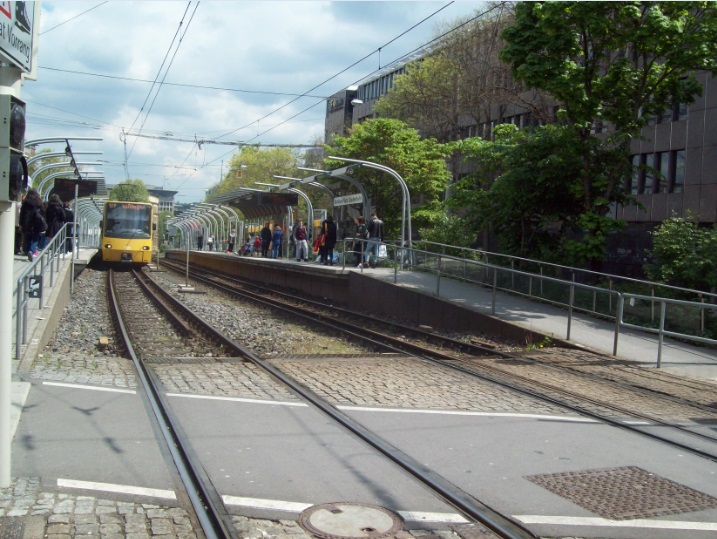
(209, 518)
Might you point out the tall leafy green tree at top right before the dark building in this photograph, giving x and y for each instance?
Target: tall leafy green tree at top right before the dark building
(610, 63)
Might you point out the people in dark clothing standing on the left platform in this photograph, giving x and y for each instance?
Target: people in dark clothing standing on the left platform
(37, 222)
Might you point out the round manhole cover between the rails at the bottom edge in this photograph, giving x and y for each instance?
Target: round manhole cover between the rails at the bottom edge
(346, 520)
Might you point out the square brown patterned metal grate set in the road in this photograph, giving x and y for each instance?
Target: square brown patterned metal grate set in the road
(624, 493)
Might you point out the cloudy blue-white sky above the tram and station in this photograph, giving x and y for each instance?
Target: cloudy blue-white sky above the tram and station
(232, 71)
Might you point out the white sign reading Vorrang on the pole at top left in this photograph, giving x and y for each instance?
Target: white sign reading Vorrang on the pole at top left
(17, 30)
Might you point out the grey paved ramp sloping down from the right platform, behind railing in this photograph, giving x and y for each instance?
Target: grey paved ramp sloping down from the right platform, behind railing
(592, 333)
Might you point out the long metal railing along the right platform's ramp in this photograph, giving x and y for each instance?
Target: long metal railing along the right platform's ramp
(685, 320)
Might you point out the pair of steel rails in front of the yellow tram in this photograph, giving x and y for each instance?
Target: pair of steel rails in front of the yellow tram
(205, 501)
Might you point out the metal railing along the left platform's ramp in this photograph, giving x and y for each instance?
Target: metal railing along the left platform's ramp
(34, 282)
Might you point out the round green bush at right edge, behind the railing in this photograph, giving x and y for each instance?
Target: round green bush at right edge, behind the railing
(684, 254)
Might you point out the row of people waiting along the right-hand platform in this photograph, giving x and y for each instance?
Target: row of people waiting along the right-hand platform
(268, 243)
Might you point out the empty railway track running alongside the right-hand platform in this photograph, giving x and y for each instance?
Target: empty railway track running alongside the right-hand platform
(620, 399)
